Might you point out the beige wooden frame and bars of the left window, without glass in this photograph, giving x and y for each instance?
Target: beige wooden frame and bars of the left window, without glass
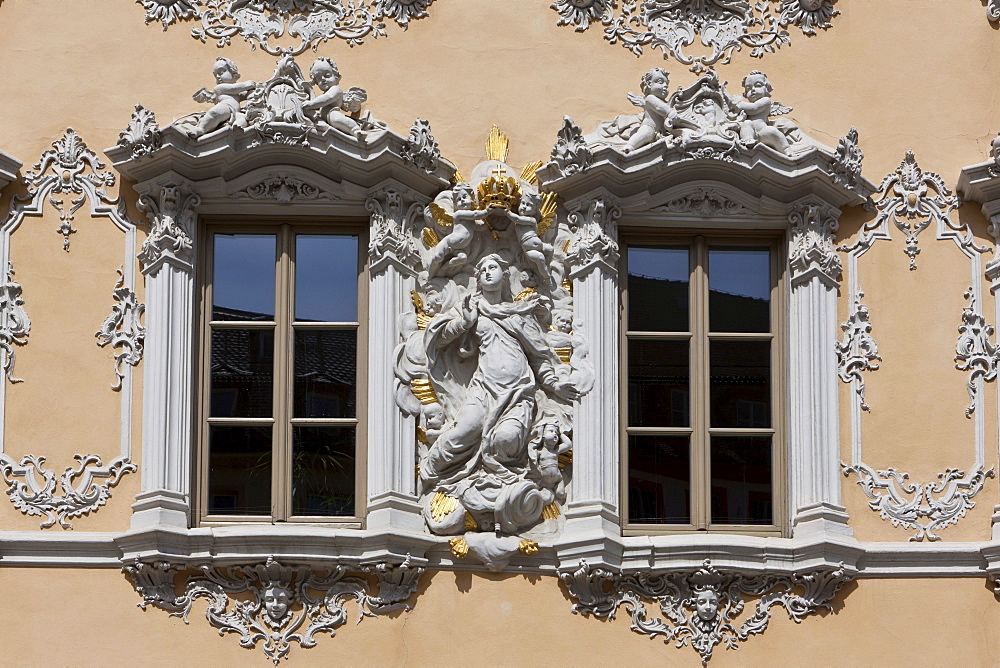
(284, 327)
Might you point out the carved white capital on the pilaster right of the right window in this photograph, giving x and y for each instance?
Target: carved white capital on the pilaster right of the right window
(811, 252)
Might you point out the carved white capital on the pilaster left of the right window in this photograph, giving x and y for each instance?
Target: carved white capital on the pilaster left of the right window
(595, 242)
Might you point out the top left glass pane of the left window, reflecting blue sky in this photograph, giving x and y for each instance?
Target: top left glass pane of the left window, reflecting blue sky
(243, 280)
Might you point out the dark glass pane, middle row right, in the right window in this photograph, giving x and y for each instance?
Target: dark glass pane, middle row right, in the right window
(740, 383)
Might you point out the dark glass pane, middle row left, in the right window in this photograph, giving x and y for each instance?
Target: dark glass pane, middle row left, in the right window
(658, 381)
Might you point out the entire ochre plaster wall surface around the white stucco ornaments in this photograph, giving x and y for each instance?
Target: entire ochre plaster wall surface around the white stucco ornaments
(907, 73)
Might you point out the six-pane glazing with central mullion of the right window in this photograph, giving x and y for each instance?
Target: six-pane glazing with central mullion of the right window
(699, 415)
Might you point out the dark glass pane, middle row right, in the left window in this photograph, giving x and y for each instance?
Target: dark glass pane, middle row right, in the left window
(325, 372)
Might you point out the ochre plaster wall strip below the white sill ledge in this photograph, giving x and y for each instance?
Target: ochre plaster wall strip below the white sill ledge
(497, 620)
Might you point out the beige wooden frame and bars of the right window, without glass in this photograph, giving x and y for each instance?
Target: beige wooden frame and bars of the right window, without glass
(699, 429)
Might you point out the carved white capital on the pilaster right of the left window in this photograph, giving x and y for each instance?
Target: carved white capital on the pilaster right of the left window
(394, 213)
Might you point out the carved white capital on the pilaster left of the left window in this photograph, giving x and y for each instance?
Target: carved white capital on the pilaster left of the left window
(170, 209)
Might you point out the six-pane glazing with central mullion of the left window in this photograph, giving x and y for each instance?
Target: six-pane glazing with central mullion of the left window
(281, 426)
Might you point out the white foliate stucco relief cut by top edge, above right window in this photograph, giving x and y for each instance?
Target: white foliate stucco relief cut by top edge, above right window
(722, 26)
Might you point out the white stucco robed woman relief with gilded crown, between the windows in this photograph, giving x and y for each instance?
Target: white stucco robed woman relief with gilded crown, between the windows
(489, 363)
